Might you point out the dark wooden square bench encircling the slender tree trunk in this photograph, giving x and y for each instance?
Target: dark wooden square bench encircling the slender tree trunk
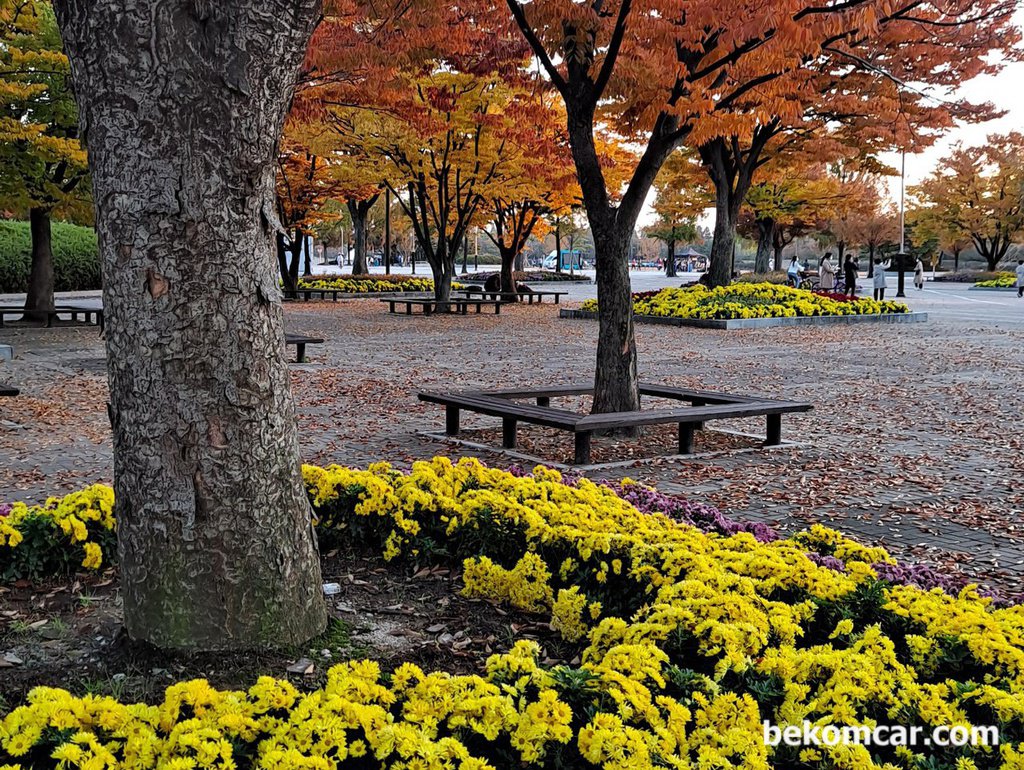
(705, 407)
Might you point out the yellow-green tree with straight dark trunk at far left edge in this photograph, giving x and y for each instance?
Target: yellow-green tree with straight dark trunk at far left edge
(42, 165)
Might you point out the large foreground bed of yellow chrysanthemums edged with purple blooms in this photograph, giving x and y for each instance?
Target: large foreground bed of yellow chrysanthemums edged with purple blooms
(688, 641)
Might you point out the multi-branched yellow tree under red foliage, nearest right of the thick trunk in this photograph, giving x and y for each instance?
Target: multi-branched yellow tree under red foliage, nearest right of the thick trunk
(434, 99)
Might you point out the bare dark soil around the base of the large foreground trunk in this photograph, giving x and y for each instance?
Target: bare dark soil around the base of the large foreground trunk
(69, 633)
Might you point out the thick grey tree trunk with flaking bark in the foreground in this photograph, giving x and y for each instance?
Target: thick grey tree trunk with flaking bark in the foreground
(183, 103)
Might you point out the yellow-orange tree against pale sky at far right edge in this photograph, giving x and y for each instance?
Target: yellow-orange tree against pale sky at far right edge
(979, 193)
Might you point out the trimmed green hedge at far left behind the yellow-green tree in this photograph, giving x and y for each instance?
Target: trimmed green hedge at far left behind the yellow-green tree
(76, 258)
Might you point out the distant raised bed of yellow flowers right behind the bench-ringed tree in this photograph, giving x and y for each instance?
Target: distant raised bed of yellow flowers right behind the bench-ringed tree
(750, 302)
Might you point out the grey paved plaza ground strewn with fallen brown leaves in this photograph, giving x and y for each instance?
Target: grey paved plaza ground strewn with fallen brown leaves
(916, 443)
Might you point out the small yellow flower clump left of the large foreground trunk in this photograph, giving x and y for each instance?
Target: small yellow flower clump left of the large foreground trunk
(79, 524)
